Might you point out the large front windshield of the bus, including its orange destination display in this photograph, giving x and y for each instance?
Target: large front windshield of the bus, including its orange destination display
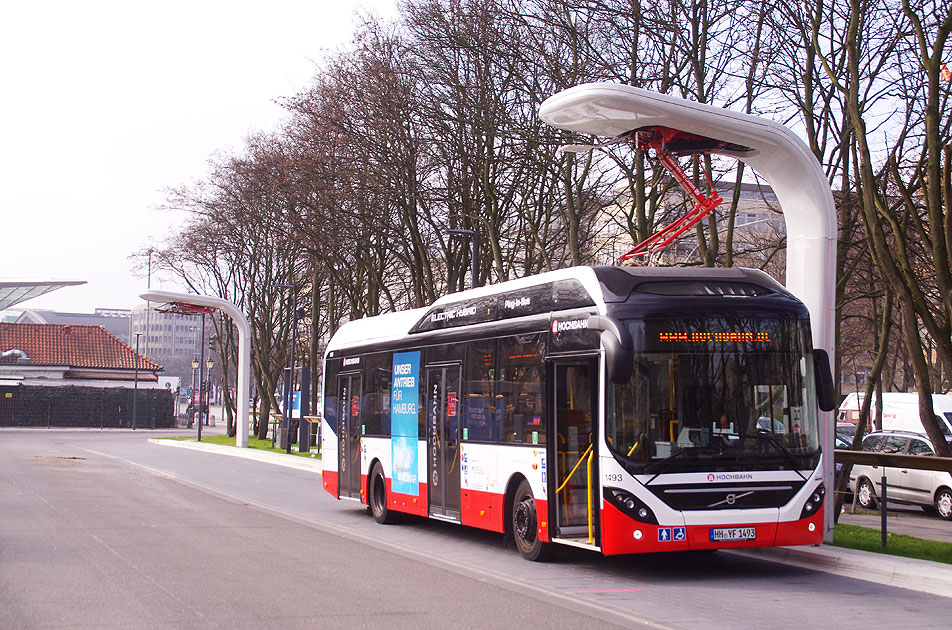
(715, 394)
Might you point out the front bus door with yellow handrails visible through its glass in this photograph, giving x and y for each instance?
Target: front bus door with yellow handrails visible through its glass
(574, 446)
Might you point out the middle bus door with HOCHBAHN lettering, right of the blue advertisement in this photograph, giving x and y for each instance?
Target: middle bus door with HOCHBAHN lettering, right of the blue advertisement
(443, 440)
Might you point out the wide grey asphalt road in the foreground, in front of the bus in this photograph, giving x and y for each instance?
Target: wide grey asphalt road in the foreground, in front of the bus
(105, 530)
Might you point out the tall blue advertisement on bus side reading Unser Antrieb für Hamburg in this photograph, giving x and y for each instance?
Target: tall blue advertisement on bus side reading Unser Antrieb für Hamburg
(404, 422)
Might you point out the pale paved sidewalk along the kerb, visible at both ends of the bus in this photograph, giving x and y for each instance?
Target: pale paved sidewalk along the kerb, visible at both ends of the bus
(918, 575)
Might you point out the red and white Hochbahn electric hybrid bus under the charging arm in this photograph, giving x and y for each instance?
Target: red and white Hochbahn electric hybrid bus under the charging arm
(618, 409)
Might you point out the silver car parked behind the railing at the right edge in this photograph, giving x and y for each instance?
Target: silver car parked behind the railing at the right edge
(932, 489)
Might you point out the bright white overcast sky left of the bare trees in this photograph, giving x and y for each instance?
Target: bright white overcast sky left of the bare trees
(106, 104)
